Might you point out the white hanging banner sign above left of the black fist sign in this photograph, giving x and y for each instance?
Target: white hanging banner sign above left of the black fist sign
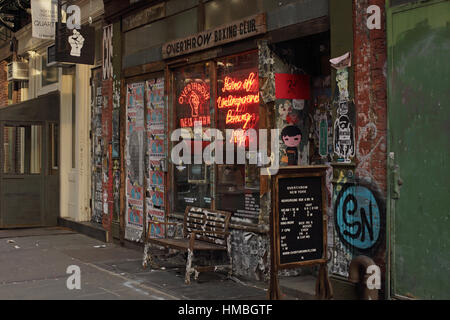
(44, 15)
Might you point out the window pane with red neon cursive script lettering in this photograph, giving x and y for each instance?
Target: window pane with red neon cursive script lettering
(237, 104)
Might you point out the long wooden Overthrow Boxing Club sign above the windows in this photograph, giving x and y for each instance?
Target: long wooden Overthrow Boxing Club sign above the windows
(238, 30)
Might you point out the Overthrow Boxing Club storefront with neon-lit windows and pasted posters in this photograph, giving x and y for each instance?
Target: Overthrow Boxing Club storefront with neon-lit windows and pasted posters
(208, 68)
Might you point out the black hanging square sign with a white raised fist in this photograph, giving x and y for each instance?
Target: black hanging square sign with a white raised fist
(76, 45)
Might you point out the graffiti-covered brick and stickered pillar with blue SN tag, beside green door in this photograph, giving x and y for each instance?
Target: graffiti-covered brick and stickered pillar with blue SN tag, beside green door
(359, 179)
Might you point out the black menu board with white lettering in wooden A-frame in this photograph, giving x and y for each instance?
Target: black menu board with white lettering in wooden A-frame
(299, 216)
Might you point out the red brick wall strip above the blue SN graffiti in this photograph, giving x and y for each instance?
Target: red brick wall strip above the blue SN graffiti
(370, 58)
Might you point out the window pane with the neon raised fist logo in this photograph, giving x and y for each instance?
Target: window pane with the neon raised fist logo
(192, 98)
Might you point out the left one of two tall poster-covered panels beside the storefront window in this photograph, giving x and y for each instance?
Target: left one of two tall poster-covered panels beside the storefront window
(134, 162)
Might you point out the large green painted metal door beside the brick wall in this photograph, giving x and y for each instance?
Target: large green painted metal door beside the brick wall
(419, 148)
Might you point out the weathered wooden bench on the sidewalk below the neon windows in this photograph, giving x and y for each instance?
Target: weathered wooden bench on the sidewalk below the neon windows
(203, 230)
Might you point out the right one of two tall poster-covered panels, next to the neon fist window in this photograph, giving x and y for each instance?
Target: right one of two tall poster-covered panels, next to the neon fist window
(156, 151)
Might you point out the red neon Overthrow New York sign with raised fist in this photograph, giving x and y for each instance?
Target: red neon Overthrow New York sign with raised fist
(196, 95)
